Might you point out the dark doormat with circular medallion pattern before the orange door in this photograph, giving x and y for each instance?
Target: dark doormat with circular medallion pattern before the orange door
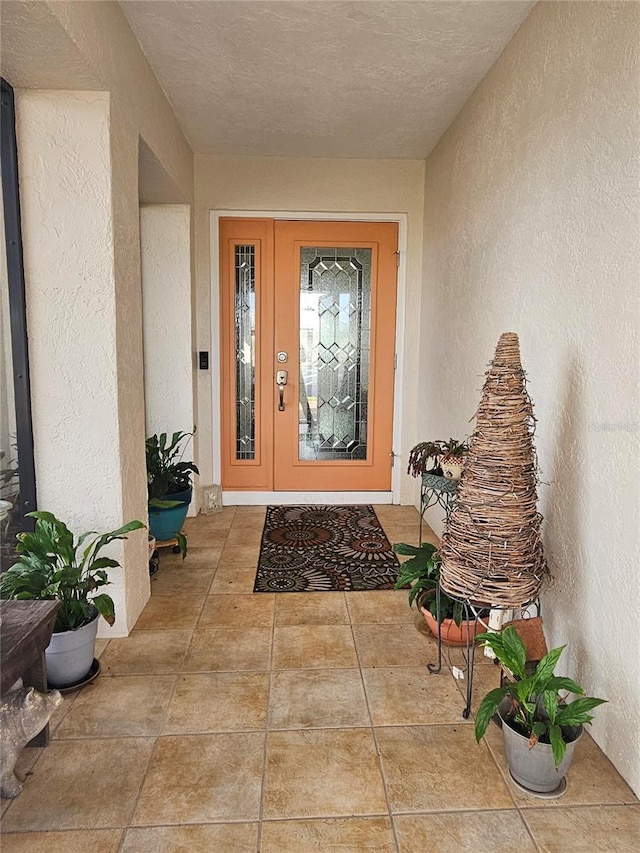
(324, 548)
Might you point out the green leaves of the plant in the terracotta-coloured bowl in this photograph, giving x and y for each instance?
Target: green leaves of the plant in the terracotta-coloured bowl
(422, 574)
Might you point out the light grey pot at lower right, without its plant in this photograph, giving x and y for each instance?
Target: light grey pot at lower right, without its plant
(534, 768)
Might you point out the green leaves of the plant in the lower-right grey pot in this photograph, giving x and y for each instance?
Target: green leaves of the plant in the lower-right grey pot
(535, 708)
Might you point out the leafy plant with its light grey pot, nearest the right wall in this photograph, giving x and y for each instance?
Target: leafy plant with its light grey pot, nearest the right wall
(540, 728)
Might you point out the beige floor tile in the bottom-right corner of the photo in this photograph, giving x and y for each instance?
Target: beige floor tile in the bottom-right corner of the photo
(583, 830)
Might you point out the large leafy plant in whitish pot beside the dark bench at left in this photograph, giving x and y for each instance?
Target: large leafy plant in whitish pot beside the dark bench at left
(55, 565)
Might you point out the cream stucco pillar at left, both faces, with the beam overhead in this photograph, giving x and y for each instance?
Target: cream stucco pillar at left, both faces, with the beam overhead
(95, 354)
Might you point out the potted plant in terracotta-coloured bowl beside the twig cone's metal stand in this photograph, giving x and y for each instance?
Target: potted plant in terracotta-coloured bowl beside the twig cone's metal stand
(422, 574)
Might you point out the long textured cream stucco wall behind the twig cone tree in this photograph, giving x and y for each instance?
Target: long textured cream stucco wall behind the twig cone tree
(531, 225)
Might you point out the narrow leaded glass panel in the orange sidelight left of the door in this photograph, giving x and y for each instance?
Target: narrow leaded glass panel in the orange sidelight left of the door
(245, 313)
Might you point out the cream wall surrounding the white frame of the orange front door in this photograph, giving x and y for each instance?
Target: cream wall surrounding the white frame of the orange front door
(290, 184)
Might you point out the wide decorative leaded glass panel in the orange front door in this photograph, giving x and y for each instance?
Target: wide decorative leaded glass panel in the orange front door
(335, 323)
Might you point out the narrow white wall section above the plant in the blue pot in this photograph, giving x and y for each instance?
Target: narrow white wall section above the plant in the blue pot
(165, 238)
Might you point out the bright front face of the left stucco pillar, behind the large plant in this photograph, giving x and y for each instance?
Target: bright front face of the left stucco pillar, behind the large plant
(64, 144)
